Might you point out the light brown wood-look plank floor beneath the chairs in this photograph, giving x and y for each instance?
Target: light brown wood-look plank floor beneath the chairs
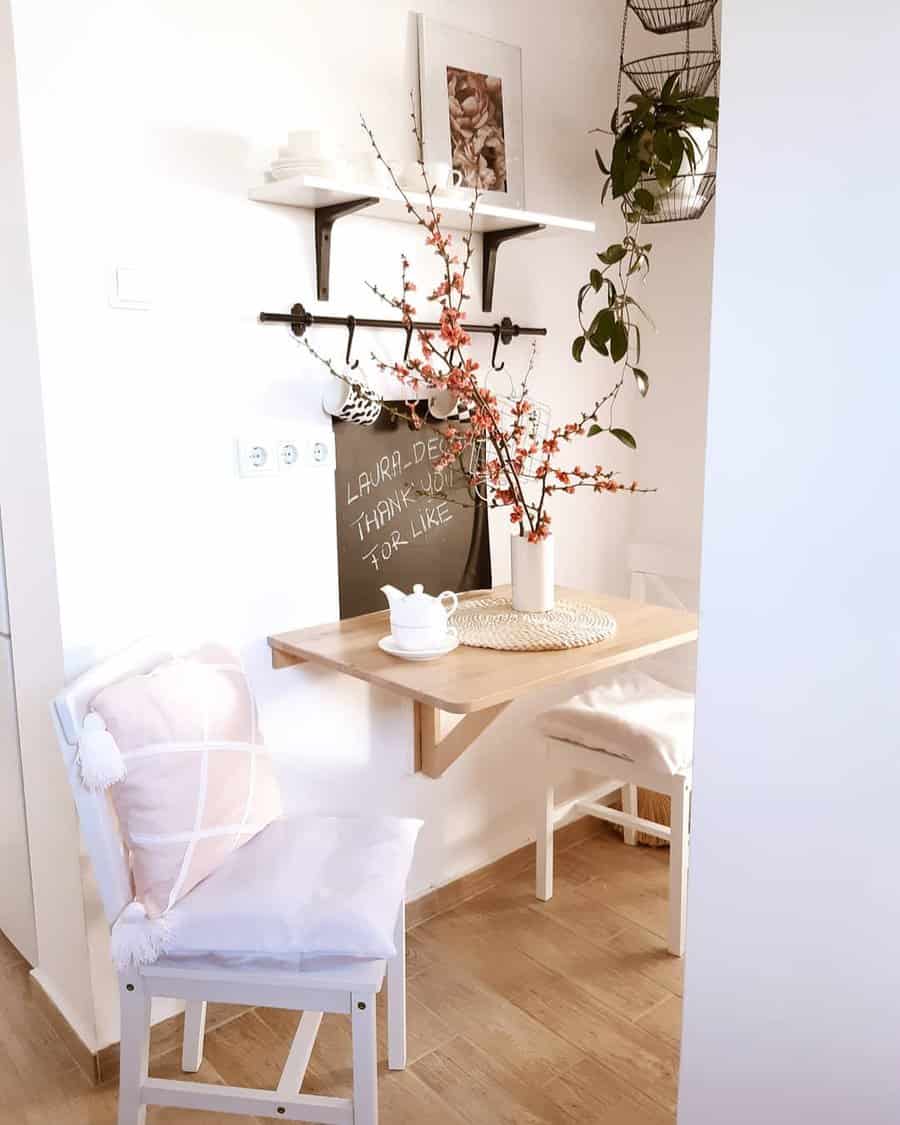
(521, 1013)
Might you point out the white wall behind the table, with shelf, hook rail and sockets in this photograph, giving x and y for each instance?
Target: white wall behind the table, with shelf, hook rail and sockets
(145, 125)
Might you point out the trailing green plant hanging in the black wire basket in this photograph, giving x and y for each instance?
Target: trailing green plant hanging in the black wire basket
(653, 141)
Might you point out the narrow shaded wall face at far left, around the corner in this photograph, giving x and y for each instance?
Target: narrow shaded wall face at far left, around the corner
(34, 620)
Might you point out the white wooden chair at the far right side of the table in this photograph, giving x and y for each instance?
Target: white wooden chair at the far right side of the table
(577, 735)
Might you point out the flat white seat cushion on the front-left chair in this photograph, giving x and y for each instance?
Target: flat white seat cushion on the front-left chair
(303, 888)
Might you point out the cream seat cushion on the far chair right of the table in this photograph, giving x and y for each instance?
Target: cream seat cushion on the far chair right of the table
(632, 717)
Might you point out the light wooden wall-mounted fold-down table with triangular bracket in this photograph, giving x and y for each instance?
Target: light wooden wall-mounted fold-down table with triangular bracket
(479, 683)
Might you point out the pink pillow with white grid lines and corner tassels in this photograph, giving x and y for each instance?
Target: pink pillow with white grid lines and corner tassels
(199, 781)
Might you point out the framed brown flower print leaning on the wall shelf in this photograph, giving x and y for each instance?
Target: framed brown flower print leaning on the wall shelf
(471, 104)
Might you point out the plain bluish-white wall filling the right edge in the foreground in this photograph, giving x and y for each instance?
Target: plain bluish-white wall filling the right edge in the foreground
(793, 971)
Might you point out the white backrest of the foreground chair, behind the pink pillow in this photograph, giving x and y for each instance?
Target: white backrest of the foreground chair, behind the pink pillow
(100, 826)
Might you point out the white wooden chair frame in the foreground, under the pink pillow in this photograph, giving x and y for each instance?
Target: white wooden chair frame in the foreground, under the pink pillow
(345, 986)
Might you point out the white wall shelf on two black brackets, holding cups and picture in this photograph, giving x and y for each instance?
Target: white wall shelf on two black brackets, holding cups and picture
(331, 200)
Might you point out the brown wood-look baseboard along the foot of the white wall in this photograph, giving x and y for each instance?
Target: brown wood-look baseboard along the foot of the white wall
(104, 1066)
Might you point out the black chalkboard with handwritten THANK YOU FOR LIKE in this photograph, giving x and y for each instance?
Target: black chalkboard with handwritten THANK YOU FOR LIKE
(388, 532)
